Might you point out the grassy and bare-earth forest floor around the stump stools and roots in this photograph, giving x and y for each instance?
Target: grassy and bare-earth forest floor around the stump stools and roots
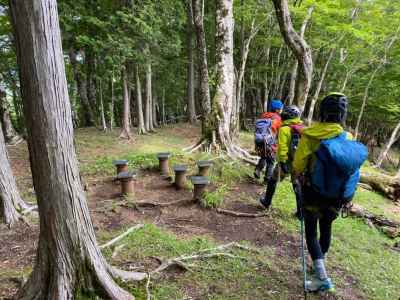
(362, 261)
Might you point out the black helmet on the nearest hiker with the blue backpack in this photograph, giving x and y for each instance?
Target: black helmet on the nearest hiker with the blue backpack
(333, 108)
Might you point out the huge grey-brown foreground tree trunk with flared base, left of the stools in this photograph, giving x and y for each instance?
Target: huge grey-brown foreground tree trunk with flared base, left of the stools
(69, 261)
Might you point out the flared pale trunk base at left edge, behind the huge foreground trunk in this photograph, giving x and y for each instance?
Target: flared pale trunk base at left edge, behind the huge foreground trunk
(11, 203)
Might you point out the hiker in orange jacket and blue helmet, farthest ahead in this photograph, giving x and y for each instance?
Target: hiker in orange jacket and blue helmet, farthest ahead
(266, 131)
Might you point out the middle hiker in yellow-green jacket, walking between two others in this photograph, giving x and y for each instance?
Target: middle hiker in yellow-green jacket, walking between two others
(288, 139)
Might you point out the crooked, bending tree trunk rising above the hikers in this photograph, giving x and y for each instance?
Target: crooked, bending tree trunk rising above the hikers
(300, 49)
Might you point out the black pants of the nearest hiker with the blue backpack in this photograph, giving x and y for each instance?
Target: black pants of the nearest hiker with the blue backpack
(318, 212)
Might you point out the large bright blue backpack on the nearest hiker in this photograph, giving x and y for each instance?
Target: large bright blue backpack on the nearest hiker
(336, 171)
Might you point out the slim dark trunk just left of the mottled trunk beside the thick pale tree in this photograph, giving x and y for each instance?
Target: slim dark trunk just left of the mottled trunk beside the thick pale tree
(190, 71)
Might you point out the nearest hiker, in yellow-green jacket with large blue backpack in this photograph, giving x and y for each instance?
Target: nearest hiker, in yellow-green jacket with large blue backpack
(327, 163)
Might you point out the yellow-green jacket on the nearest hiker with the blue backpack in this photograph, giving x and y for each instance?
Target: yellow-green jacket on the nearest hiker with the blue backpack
(309, 143)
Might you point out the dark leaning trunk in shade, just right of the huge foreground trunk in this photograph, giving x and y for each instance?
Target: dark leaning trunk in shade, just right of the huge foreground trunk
(88, 115)
